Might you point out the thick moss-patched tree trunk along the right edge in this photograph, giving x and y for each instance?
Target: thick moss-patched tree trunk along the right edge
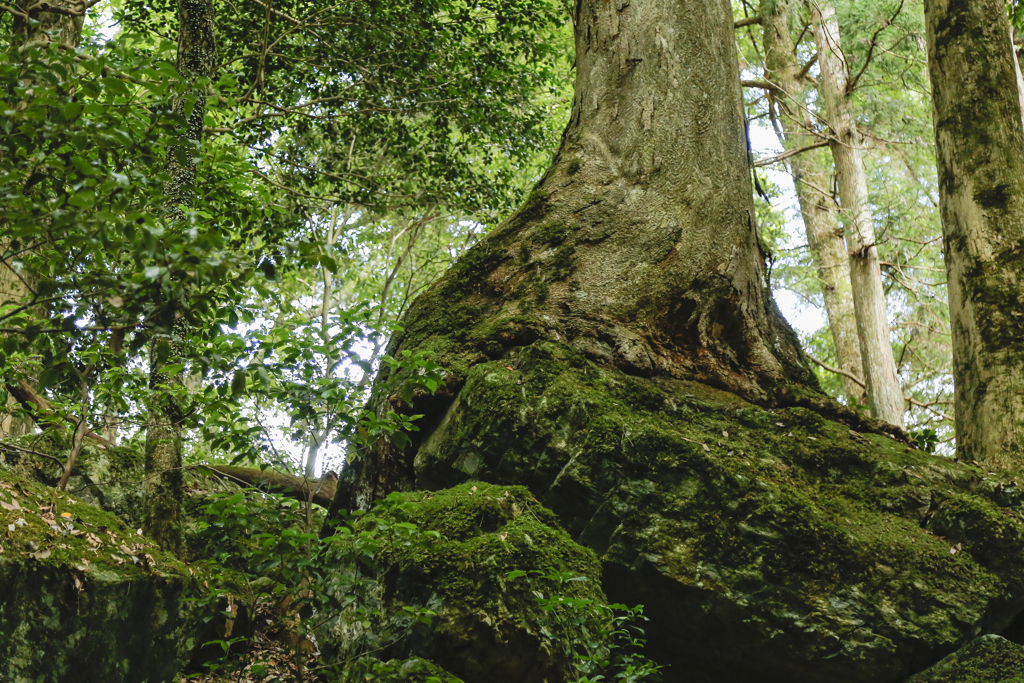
(979, 134)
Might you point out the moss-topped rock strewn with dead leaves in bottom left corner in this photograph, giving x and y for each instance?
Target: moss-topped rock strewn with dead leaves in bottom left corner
(82, 596)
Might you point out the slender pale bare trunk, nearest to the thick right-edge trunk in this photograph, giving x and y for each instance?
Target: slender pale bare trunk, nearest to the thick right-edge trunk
(884, 394)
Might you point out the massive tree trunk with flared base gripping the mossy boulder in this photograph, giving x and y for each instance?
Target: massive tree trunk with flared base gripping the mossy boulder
(638, 248)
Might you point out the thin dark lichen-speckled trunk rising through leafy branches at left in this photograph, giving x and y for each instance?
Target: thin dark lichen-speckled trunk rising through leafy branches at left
(163, 493)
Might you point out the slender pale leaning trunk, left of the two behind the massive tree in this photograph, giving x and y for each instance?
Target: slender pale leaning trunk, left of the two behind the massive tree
(810, 177)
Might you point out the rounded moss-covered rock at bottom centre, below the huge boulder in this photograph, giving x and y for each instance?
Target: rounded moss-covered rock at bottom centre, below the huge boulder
(488, 626)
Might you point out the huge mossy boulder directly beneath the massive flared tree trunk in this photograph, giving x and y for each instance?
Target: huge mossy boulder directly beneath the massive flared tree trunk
(769, 545)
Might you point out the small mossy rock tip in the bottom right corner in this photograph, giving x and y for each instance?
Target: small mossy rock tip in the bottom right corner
(987, 660)
